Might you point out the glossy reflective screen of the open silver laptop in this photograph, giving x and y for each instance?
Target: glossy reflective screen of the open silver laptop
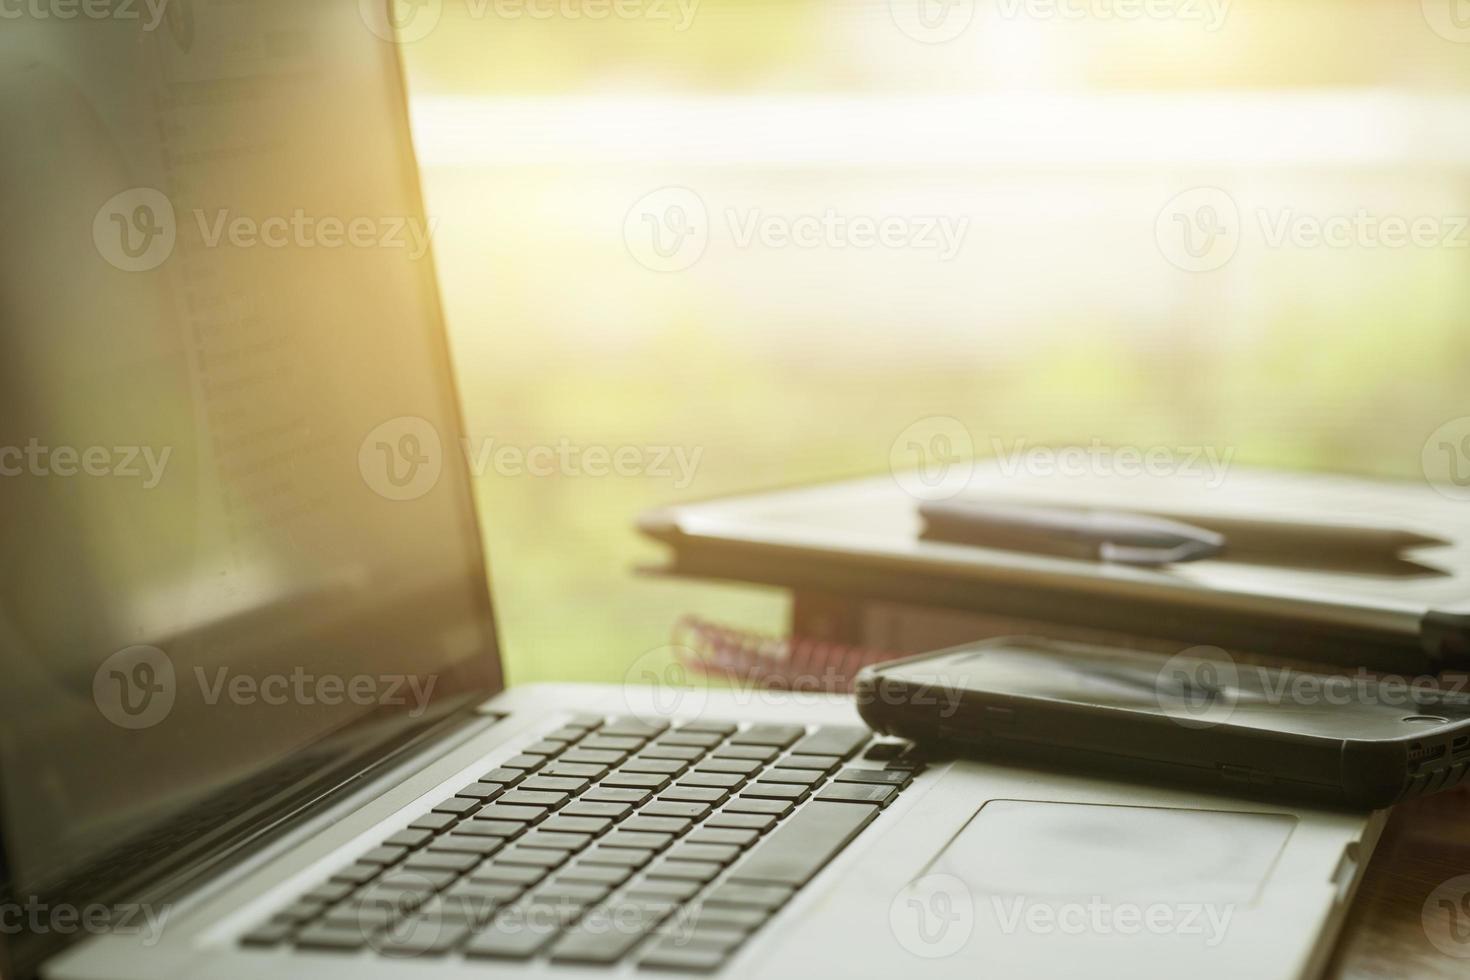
(234, 530)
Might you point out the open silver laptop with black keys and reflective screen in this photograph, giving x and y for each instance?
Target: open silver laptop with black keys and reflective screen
(254, 719)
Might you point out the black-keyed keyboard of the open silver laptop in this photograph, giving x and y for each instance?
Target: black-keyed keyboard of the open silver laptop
(611, 841)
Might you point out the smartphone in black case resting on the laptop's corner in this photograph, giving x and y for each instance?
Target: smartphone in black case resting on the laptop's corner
(1202, 716)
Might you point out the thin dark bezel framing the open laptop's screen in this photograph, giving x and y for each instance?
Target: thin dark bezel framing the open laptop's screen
(355, 750)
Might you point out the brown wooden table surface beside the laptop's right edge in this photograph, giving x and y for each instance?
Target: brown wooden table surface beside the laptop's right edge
(1425, 846)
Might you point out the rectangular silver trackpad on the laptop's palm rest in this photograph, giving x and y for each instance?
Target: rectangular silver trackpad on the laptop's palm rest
(1059, 853)
